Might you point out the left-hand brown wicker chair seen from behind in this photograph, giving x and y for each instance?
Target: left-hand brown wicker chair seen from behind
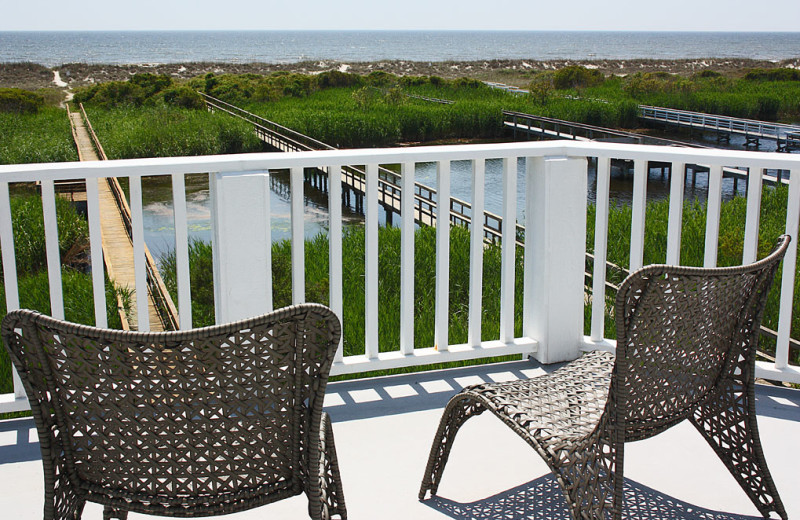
(188, 423)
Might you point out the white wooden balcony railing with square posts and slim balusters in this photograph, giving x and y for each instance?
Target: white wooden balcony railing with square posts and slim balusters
(555, 221)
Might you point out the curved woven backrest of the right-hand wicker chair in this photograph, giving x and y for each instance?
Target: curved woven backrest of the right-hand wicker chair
(681, 331)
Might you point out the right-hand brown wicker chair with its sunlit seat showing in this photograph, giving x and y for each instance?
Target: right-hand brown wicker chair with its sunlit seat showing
(686, 345)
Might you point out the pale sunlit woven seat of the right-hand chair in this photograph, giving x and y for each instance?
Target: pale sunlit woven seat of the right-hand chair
(566, 404)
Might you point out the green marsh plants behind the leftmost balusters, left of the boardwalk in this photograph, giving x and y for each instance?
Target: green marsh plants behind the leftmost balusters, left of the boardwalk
(34, 293)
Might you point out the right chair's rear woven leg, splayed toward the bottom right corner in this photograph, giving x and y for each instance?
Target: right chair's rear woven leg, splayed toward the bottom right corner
(728, 422)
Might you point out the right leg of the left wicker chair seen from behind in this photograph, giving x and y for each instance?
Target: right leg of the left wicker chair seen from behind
(330, 500)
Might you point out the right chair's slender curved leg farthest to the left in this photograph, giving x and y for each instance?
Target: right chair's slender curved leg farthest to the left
(459, 409)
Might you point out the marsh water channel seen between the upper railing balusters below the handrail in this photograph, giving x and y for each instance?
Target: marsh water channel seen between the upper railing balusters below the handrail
(159, 216)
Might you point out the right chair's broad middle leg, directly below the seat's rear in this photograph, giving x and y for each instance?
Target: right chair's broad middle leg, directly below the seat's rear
(591, 477)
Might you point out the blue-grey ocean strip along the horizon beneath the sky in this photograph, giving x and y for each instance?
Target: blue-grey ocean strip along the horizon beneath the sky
(133, 47)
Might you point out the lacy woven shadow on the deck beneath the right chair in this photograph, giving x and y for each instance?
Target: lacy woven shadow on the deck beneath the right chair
(542, 499)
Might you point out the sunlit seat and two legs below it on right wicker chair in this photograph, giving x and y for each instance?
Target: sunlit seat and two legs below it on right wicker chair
(557, 414)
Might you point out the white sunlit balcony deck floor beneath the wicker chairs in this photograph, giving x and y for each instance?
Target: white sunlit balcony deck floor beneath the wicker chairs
(384, 427)
